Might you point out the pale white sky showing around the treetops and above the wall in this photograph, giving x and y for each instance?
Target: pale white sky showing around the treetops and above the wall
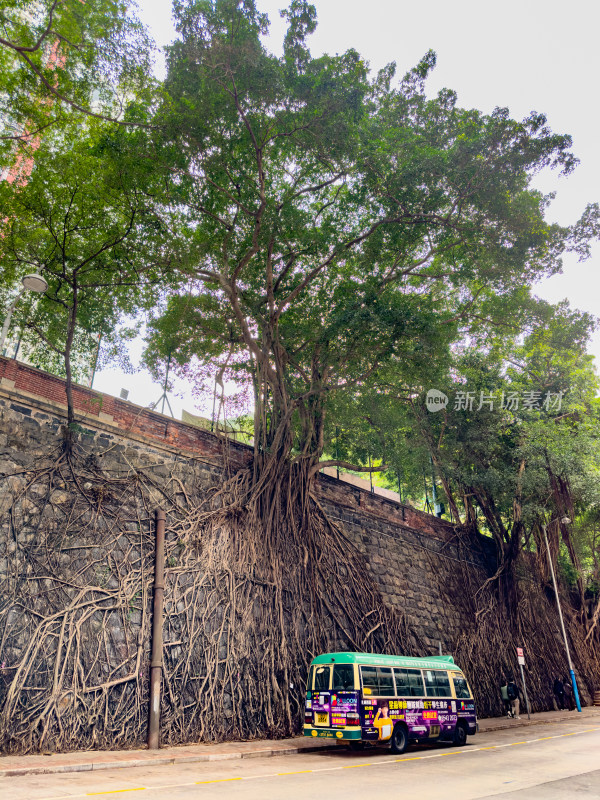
(527, 55)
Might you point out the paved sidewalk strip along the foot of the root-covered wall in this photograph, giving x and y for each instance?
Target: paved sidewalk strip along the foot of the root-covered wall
(86, 760)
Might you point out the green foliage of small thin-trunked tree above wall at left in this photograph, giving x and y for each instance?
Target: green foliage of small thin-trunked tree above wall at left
(81, 221)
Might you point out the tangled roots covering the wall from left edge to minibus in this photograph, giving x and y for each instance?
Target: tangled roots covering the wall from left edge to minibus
(258, 581)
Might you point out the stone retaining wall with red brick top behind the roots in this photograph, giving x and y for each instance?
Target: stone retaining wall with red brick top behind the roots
(76, 565)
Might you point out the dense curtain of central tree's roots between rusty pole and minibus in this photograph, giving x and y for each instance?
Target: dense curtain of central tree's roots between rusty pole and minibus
(264, 600)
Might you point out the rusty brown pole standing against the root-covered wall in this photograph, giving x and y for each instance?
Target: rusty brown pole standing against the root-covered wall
(157, 625)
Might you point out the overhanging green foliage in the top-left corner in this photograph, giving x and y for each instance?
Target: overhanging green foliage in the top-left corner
(58, 57)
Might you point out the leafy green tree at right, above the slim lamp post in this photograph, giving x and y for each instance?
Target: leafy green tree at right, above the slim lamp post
(516, 445)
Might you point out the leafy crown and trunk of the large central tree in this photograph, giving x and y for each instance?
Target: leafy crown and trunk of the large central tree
(338, 222)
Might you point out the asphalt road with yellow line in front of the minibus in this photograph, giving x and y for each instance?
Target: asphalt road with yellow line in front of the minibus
(559, 761)
